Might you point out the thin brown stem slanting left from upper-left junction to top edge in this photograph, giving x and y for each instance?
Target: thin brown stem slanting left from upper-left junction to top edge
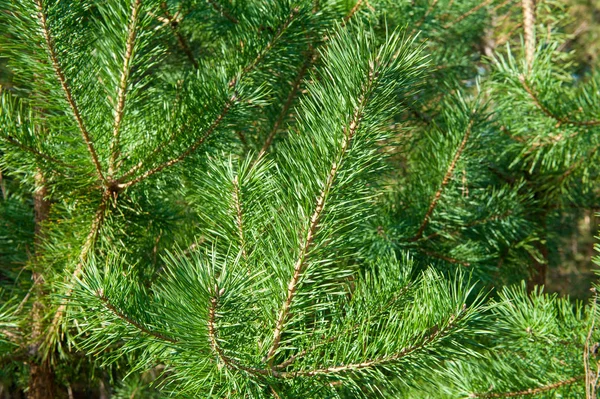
(42, 19)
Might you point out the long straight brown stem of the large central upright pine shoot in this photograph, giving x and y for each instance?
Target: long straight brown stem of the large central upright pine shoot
(299, 267)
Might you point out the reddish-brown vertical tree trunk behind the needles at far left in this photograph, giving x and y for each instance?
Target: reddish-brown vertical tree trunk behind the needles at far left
(41, 374)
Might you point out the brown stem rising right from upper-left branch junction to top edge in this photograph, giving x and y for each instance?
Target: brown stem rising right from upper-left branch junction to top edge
(122, 90)
